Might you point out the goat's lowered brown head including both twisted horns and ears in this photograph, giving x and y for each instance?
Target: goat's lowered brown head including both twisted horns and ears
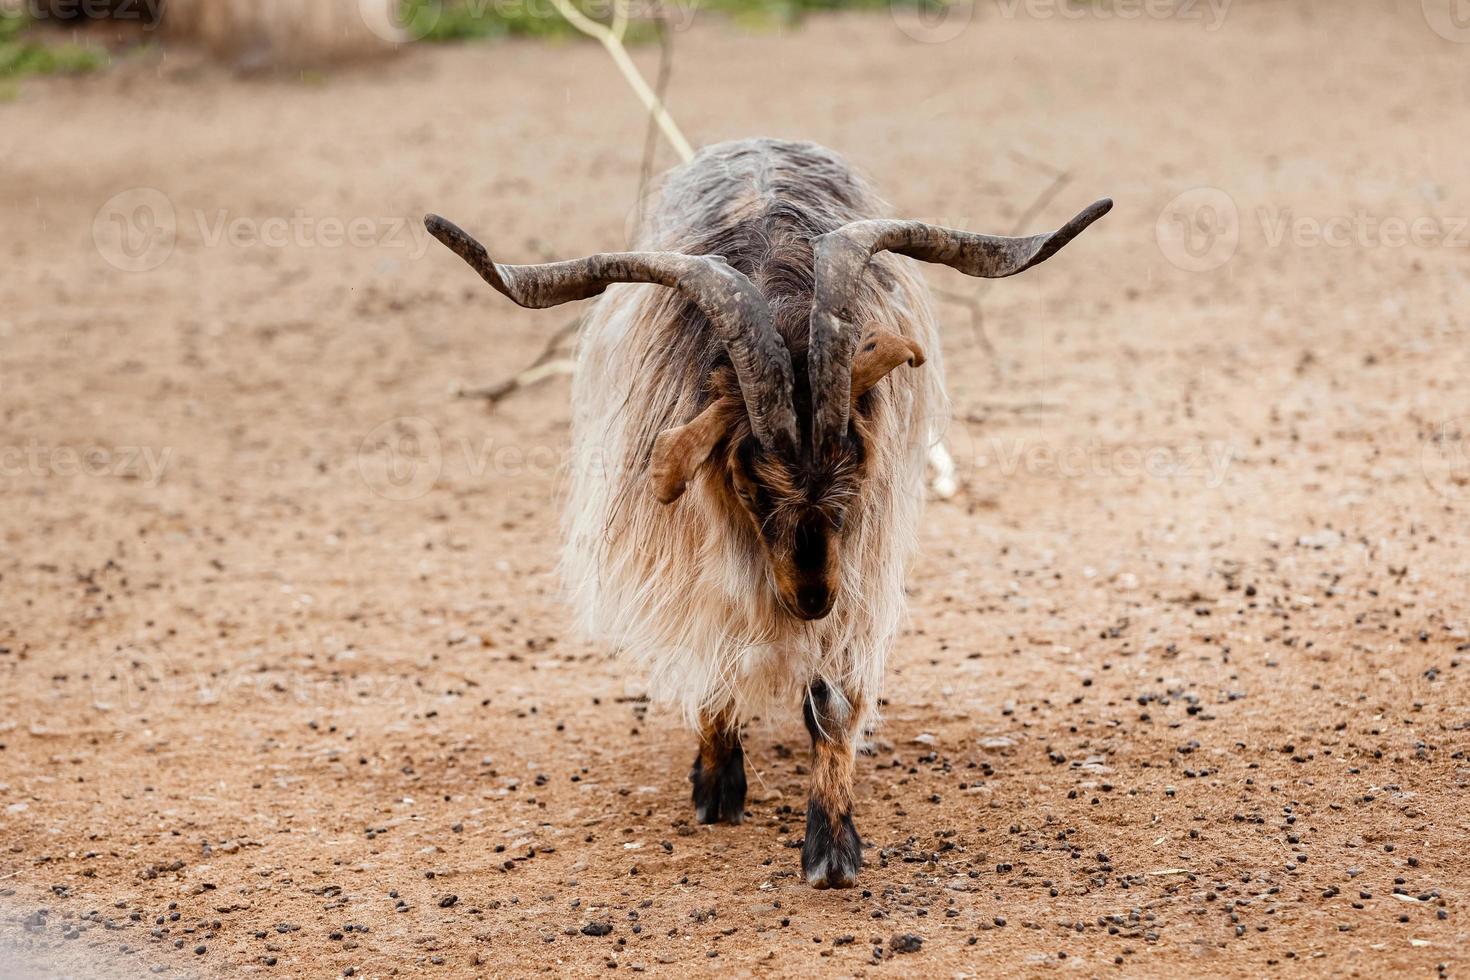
(796, 481)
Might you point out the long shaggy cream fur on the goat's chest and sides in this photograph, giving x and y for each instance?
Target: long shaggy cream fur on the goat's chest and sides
(683, 590)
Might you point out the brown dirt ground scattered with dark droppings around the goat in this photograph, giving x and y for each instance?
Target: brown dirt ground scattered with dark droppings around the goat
(287, 684)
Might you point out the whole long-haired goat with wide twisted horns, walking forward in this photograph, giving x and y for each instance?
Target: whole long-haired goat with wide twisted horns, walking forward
(747, 455)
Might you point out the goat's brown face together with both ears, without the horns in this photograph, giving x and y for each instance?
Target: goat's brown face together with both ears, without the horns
(799, 505)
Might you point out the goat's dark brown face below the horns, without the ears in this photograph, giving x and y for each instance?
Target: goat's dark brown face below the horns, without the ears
(800, 514)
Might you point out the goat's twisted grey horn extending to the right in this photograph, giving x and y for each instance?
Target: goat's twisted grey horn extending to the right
(842, 258)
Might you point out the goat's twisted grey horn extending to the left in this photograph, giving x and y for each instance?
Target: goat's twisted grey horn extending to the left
(731, 302)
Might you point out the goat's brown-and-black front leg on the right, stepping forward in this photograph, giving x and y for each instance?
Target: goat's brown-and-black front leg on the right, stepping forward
(833, 853)
